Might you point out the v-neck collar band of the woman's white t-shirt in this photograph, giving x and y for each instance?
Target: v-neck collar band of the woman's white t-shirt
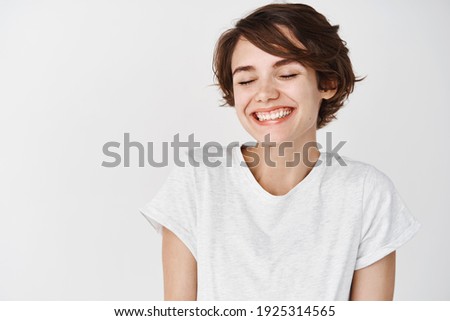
(260, 191)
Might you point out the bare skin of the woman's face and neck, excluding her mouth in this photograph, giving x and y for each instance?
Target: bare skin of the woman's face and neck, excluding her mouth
(263, 85)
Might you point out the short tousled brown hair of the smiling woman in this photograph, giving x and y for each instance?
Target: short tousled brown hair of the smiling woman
(325, 52)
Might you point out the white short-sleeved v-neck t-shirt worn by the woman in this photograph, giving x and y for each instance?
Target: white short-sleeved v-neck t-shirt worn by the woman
(304, 245)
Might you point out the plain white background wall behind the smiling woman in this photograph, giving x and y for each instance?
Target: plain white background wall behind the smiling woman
(77, 74)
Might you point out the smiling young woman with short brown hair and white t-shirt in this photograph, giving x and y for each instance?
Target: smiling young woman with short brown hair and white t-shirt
(293, 223)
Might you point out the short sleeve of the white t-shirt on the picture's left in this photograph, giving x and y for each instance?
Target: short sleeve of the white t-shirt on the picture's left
(174, 205)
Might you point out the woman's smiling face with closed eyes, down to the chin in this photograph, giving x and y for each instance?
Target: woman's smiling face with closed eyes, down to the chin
(274, 96)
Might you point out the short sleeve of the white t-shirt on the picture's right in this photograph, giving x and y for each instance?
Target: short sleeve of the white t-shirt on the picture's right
(387, 223)
